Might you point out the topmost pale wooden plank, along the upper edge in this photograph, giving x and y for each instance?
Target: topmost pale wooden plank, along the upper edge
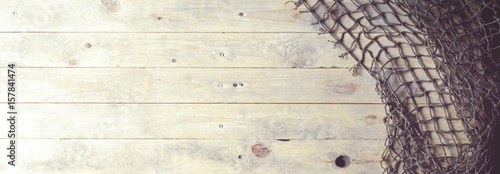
(154, 16)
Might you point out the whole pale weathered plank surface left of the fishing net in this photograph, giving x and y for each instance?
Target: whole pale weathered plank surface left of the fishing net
(129, 86)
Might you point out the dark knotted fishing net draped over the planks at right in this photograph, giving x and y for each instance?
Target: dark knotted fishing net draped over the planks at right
(436, 67)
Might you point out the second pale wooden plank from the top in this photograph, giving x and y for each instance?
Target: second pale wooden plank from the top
(278, 50)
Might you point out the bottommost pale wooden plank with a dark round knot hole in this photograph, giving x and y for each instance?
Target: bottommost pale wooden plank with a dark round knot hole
(194, 156)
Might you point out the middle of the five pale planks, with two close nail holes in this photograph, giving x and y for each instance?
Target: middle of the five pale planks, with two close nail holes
(192, 85)
